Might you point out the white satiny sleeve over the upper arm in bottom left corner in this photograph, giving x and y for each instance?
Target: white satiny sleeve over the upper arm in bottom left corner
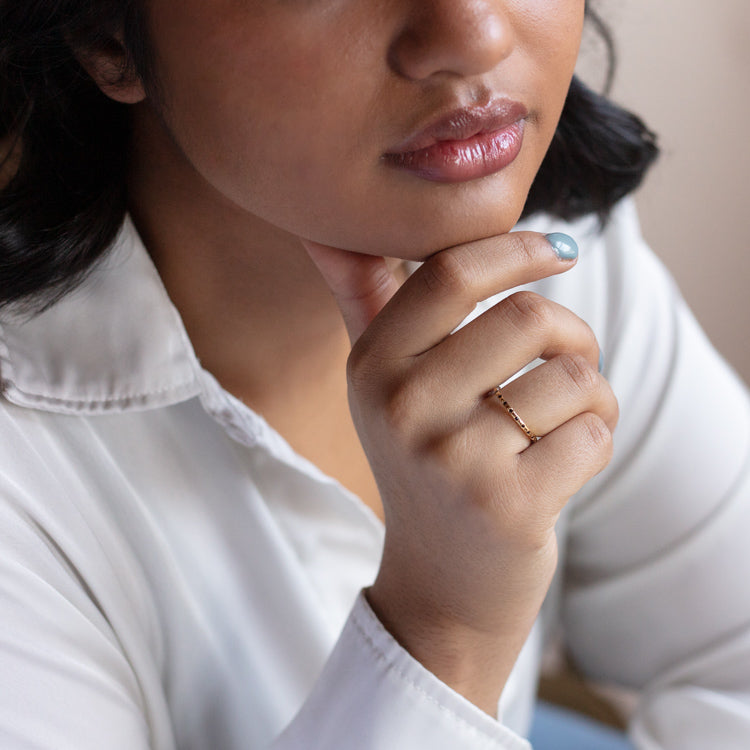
(65, 682)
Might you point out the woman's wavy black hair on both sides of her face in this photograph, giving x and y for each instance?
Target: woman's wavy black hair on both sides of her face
(64, 145)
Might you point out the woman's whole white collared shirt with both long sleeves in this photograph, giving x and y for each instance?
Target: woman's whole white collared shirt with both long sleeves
(173, 575)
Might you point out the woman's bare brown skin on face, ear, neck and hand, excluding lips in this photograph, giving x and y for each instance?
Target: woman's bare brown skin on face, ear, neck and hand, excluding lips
(265, 162)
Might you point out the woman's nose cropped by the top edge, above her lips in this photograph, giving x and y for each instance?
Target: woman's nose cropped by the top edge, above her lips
(459, 37)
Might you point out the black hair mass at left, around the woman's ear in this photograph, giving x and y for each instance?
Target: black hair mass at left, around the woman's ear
(65, 142)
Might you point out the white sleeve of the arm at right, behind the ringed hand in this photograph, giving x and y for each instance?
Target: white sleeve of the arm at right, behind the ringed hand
(656, 586)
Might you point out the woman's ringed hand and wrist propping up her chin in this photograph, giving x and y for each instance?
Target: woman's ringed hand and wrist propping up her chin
(470, 503)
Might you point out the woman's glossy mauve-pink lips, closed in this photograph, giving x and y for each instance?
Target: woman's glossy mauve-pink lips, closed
(464, 145)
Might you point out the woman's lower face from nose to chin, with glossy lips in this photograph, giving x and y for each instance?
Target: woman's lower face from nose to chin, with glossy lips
(395, 127)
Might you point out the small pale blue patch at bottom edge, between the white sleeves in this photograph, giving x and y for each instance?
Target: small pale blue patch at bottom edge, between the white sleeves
(557, 729)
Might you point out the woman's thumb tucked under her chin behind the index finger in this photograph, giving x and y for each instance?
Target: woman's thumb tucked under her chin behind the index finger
(361, 284)
